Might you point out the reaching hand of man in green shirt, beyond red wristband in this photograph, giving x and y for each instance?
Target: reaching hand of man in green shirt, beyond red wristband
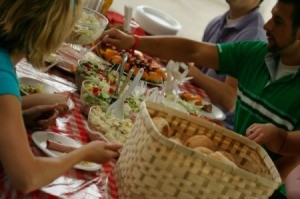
(118, 39)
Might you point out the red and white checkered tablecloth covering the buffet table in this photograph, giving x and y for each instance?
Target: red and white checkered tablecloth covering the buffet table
(75, 183)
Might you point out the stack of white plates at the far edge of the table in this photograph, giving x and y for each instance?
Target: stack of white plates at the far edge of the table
(155, 21)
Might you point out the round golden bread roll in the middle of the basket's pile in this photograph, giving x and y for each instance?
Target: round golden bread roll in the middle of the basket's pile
(199, 140)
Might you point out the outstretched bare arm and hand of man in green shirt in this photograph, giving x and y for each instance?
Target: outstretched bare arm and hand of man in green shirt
(178, 49)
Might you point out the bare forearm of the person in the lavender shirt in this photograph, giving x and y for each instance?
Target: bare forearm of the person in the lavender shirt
(226, 98)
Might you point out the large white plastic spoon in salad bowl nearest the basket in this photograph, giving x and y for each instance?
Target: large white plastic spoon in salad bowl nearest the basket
(117, 108)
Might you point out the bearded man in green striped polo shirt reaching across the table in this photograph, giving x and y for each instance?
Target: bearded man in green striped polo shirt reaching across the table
(268, 73)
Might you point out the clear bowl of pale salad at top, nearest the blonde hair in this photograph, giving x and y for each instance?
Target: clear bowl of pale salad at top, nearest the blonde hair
(89, 27)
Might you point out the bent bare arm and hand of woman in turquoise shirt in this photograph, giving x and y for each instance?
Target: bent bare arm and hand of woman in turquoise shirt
(19, 162)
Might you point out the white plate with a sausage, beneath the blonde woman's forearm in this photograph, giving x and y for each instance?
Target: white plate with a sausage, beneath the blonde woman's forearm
(40, 138)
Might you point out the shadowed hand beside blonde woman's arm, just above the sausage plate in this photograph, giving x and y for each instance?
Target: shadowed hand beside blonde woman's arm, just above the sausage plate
(40, 117)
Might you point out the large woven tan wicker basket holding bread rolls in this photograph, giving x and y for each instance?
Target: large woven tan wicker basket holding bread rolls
(152, 166)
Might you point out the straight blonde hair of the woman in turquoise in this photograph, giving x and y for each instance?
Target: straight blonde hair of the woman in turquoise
(36, 27)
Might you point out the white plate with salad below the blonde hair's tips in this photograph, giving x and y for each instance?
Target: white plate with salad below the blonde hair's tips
(45, 88)
